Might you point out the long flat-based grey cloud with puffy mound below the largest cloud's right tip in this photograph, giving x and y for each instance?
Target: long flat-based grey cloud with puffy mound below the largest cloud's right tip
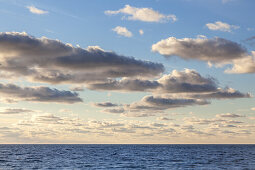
(187, 82)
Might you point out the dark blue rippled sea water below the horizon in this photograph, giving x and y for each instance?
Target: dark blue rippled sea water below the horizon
(127, 156)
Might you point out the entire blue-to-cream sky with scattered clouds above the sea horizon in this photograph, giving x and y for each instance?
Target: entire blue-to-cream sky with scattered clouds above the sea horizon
(127, 71)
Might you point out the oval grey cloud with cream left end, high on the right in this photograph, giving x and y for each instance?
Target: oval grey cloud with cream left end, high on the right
(216, 50)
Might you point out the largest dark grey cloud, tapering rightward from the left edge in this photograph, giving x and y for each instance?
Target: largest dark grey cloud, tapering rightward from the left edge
(51, 61)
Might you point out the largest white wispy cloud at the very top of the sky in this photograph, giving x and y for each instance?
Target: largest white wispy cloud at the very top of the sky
(142, 14)
